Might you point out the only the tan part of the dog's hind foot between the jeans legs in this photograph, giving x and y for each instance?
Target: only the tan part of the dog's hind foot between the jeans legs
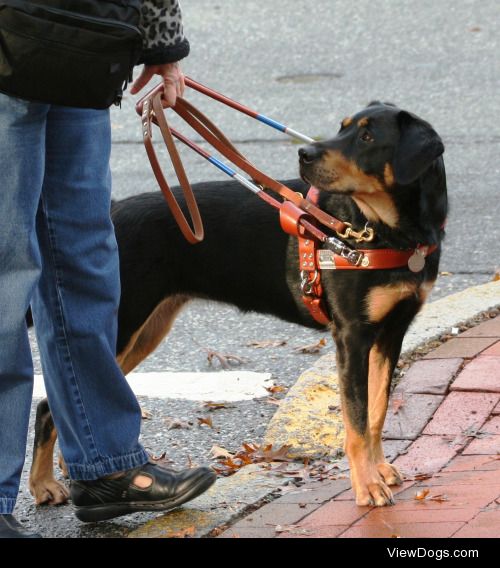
(42, 484)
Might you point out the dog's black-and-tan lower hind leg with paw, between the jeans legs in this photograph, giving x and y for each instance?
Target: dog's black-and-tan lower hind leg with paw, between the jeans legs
(43, 486)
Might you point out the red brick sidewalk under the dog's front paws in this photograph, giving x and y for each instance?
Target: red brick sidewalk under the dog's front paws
(446, 429)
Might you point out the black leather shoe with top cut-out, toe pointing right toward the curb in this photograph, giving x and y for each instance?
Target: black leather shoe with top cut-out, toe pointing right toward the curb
(108, 498)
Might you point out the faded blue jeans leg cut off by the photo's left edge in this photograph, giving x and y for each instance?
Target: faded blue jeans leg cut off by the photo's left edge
(22, 148)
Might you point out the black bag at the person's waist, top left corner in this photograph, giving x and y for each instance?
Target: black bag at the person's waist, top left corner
(77, 53)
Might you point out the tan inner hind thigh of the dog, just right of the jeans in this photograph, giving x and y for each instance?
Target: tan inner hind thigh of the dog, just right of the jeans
(146, 339)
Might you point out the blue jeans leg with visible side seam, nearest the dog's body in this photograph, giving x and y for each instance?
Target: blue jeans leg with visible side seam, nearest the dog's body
(76, 303)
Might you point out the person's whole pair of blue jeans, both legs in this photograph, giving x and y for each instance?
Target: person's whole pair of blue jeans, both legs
(58, 251)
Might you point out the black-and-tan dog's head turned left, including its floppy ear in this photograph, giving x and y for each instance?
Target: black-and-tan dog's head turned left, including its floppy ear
(375, 150)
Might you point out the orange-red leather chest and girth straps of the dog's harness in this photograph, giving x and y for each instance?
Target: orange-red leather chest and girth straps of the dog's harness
(313, 260)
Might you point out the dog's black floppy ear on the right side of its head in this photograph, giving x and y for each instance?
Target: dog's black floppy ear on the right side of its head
(419, 145)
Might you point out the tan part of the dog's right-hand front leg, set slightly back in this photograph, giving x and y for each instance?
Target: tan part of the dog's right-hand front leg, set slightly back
(379, 378)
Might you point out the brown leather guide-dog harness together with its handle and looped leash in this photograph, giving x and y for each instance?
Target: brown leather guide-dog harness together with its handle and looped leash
(298, 215)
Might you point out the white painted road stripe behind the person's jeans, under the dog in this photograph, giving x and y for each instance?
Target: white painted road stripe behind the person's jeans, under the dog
(227, 386)
